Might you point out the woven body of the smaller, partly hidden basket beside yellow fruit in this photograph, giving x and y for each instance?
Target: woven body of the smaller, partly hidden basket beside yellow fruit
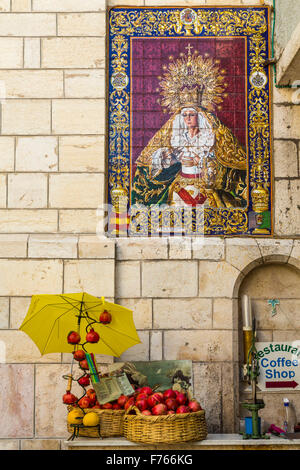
(111, 423)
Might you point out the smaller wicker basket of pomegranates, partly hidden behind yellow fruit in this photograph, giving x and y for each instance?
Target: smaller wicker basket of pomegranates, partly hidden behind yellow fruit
(111, 416)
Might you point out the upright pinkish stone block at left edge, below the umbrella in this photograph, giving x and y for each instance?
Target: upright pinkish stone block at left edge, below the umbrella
(17, 414)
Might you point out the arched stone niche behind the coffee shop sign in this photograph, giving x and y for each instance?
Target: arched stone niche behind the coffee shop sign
(272, 279)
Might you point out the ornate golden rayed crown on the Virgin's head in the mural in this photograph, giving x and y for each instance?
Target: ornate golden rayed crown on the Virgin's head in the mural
(192, 81)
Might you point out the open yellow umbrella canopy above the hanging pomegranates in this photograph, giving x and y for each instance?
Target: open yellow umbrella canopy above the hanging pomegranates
(50, 319)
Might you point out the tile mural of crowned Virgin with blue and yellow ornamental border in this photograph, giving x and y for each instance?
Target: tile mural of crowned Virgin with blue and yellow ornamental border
(230, 46)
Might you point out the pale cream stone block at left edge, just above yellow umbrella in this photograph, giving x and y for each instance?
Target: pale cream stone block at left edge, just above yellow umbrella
(29, 277)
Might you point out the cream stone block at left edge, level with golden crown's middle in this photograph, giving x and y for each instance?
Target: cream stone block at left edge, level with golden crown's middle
(32, 83)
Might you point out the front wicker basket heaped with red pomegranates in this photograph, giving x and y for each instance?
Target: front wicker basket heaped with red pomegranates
(169, 417)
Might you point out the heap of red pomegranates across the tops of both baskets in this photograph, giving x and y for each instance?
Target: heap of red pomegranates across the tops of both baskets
(156, 403)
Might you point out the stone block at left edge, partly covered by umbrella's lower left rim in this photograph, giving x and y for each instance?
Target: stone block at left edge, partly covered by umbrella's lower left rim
(20, 349)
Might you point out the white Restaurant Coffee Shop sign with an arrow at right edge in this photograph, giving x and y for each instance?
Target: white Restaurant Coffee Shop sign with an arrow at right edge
(279, 366)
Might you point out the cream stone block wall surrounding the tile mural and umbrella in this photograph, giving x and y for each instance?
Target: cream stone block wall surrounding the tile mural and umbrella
(184, 292)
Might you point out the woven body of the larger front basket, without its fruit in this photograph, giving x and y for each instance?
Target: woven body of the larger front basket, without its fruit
(164, 428)
